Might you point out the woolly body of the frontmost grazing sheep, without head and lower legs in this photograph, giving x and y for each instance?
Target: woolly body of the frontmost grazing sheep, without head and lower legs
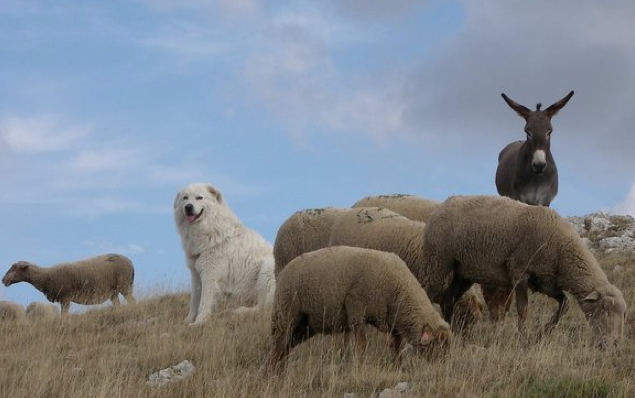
(318, 283)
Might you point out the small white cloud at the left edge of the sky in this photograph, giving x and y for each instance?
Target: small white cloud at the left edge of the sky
(40, 134)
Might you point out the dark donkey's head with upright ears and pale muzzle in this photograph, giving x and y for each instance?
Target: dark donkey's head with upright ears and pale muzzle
(538, 129)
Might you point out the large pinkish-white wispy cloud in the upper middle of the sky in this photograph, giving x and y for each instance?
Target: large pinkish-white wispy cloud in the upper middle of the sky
(295, 75)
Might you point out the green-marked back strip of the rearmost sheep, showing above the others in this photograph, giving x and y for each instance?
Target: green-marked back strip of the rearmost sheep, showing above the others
(413, 207)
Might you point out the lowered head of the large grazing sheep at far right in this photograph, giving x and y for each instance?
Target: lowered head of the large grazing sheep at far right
(606, 313)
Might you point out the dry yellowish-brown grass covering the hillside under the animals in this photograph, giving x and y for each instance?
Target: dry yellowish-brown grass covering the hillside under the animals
(110, 353)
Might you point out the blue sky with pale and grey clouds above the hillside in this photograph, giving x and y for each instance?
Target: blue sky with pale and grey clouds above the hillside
(109, 108)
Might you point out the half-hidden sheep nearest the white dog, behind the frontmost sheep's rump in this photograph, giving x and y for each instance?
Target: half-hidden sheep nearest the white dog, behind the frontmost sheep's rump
(305, 231)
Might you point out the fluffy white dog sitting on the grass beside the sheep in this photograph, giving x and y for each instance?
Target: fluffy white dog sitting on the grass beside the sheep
(226, 259)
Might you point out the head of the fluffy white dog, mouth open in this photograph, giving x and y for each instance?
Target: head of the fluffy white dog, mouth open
(193, 201)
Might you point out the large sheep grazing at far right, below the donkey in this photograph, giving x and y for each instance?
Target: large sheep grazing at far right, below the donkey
(501, 242)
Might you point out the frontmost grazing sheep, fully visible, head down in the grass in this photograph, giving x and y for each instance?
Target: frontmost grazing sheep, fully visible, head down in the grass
(340, 289)
